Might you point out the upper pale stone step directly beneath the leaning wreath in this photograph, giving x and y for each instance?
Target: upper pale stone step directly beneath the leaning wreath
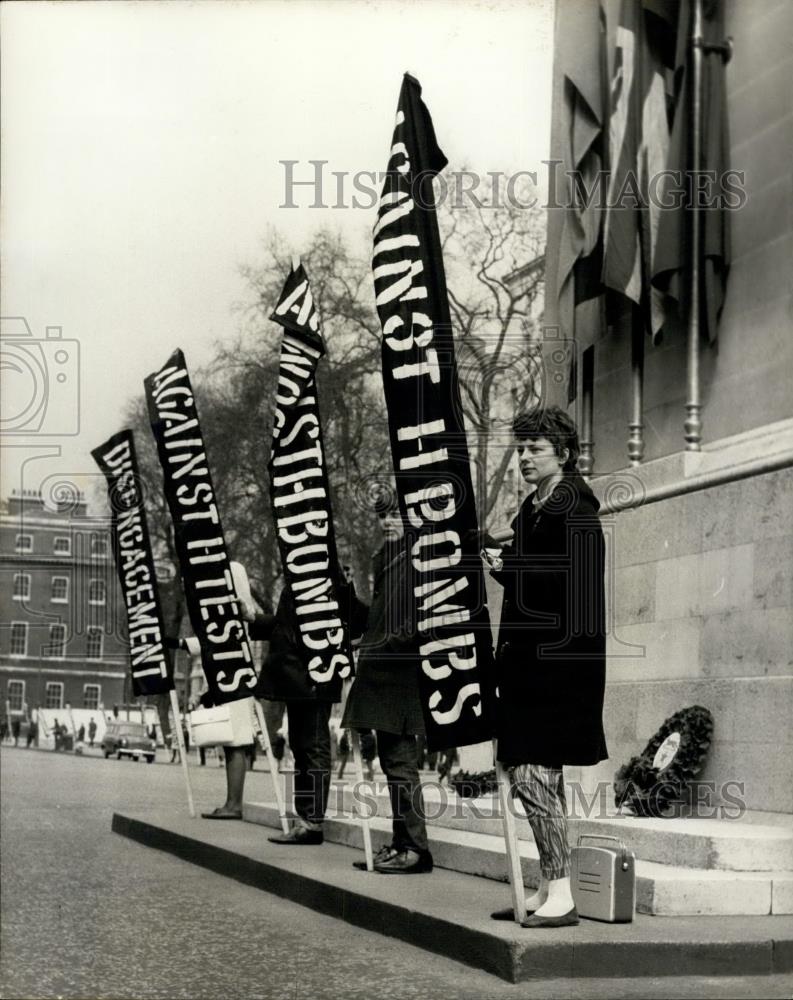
(728, 844)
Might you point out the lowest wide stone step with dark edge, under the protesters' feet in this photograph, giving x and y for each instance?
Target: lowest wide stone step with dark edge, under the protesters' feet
(448, 913)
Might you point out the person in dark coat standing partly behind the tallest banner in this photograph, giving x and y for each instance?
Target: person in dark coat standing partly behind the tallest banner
(385, 695)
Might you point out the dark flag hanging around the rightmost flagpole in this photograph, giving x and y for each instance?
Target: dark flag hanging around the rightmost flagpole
(672, 261)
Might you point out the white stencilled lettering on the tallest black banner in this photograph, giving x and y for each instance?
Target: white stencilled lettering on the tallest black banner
(411, 358)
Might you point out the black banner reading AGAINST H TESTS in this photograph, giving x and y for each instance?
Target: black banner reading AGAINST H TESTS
(212, 604)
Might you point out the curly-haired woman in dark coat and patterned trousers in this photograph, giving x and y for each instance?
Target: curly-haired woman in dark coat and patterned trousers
(551, 654)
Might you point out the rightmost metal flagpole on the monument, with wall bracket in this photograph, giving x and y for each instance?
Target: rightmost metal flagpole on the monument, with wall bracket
(693, 423)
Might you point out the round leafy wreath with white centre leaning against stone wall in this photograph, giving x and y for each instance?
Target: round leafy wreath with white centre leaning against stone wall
(650, 792)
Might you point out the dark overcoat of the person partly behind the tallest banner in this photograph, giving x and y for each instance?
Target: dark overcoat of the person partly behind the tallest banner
(385, 693)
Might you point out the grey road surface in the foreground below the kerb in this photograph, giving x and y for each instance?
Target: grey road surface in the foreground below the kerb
(84, 912)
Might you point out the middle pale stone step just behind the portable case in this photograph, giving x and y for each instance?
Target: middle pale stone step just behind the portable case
(661, 890)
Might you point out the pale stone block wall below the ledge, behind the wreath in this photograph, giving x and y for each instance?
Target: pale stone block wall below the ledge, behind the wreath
(702, 613)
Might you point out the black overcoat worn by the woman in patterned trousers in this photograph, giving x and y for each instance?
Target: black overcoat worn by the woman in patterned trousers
(551, 654)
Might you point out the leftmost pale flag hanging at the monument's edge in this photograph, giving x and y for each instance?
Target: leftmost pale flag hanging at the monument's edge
(574, 253)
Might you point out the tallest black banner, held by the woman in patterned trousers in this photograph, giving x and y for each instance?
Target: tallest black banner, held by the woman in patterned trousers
(428, 443)
